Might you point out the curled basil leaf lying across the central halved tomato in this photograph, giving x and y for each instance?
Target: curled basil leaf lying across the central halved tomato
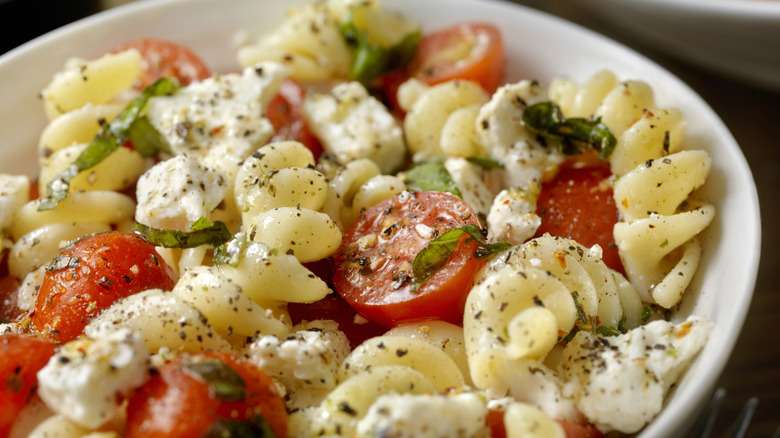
(433, 257)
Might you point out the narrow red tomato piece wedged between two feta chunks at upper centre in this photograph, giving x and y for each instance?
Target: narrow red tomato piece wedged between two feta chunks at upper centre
(286, 115)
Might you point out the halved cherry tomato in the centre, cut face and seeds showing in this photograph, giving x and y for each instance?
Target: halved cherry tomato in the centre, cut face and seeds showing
(374, 262)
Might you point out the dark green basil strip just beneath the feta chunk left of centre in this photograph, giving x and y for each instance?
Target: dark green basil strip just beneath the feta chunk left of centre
(204, 232)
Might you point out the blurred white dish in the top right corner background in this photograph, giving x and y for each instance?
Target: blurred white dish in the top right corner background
(737, 38)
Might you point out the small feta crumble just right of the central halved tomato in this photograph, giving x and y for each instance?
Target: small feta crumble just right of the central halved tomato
(512, 217)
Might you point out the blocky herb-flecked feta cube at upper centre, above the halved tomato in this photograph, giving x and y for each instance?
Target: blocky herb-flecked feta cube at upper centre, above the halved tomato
(352, 124)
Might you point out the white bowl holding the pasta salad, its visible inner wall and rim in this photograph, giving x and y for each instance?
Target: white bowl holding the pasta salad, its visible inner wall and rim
(539, 46)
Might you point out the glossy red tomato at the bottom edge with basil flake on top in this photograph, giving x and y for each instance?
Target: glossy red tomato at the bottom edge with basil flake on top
(178, 401)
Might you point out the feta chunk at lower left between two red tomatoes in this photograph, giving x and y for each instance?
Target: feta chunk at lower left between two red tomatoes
(83, 379)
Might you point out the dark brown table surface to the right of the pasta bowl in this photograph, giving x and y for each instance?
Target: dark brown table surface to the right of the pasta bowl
(753, 117)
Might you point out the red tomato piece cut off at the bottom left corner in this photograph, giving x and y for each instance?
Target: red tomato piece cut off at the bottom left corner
(21, 356)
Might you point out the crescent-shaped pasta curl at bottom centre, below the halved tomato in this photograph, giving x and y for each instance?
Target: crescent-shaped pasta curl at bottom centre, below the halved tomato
(417, 354)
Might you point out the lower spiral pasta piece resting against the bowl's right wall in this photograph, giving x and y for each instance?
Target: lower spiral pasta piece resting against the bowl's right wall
(659, 221)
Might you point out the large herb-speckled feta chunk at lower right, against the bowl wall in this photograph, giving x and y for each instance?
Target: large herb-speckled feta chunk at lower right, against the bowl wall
(619, 382)
